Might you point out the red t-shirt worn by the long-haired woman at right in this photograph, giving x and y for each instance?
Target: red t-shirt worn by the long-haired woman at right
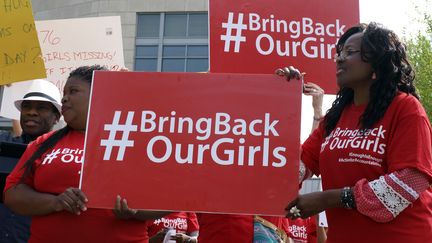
(401, 139)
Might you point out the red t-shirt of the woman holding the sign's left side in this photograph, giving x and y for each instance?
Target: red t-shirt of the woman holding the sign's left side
(57, 170)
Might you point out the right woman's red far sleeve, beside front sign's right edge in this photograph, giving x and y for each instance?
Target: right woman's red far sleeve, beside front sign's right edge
(311, 149)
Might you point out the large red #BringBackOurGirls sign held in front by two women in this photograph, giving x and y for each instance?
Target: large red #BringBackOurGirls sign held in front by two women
(193, 142)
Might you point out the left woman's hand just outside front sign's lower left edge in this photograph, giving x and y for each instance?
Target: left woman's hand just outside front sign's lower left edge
(72, 200)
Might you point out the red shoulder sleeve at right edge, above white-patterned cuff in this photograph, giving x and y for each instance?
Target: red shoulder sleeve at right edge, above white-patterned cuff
(410, 144)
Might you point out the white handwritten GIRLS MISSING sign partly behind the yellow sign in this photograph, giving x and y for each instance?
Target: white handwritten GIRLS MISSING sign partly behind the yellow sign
(67, 44)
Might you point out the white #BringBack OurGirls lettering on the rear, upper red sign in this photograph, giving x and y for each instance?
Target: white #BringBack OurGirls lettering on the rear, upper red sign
(304, 37)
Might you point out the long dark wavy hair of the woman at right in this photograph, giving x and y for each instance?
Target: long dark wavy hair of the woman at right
(383, 50)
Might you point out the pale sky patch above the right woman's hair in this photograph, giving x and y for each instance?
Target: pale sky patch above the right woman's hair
(397, 15)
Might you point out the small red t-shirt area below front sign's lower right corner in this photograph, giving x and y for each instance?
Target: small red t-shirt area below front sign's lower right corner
(303, 230)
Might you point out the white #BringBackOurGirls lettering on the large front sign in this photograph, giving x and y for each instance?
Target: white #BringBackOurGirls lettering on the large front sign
(220, 124)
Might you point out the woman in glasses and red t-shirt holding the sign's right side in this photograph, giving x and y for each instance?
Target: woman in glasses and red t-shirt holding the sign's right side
(373, 147)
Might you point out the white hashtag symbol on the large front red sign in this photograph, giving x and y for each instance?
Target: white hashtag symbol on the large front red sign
(122, 143)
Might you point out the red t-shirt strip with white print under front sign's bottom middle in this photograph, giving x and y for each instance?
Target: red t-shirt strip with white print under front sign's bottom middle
(183, 222)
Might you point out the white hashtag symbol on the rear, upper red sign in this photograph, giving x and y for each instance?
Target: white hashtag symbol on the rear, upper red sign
(229, 37)
